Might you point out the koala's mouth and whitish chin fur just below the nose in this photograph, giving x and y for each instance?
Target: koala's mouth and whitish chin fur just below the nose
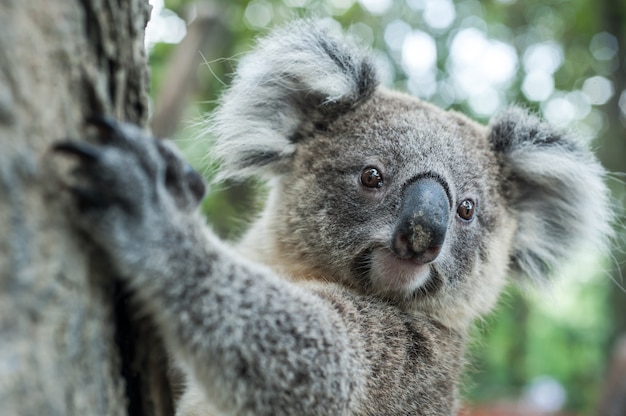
(393, 275)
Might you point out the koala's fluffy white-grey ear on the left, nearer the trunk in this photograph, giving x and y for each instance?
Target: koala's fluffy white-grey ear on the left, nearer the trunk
(296, 80)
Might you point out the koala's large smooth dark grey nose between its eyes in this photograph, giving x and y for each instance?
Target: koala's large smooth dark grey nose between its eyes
(423, 221)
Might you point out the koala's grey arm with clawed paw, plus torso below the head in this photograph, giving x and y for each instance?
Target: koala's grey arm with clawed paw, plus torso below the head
(254, 343)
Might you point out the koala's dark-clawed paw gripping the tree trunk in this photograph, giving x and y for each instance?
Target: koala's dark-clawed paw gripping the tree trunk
(128, 187)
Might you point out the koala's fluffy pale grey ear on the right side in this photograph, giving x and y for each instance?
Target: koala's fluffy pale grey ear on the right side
(555, 188)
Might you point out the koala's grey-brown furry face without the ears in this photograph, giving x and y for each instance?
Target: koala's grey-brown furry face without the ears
(398, 199)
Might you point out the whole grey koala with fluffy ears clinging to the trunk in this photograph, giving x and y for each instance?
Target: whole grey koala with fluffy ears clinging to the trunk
(390, 225)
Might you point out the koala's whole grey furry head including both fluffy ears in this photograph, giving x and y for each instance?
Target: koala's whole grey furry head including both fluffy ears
(392, 196)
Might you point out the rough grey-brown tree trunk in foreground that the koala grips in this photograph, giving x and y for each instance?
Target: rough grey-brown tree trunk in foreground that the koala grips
(68, 344)
